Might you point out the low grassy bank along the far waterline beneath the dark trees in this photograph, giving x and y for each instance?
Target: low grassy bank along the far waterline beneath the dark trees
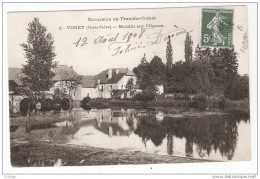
(164, 102)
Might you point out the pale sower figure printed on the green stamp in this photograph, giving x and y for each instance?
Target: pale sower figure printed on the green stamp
(214, 24)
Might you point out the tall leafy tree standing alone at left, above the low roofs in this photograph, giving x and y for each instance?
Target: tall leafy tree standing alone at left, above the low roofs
(39, 51)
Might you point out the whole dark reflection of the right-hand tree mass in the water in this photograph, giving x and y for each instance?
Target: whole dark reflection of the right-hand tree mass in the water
(210, 132)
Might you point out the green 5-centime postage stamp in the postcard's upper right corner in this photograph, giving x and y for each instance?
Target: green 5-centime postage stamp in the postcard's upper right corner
(216, 27)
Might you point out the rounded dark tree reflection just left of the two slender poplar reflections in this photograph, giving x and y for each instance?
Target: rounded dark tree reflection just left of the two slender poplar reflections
(150, 128)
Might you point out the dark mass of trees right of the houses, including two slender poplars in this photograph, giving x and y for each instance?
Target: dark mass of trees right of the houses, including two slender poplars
(212, 71)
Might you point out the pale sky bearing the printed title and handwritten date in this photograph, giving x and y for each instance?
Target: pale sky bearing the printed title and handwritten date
(98, 54)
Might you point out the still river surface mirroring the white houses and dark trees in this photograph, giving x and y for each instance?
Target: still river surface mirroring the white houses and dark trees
(218, 137)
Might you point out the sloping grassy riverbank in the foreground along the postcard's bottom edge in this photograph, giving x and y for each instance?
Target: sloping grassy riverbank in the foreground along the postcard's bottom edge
(43, 154)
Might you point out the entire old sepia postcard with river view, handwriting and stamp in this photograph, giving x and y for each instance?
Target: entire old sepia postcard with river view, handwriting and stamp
(129, 86)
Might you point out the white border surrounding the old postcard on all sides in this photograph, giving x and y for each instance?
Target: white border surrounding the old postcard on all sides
(202, 168)
